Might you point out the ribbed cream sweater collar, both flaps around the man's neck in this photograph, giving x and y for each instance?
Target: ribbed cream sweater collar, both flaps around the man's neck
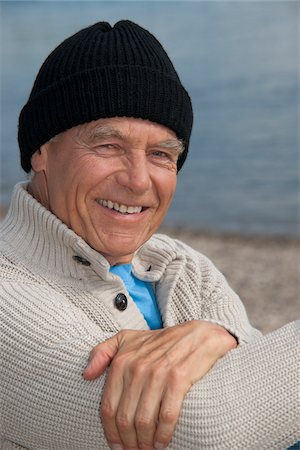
(33, 233)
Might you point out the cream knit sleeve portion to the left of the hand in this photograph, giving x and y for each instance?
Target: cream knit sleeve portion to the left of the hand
(45, 343)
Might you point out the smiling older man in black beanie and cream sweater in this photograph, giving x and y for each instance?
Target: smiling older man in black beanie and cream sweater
(104, 133)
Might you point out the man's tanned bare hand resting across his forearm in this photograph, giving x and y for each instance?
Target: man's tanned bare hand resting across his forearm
(149, 376)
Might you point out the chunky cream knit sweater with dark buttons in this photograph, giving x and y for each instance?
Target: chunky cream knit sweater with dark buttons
(54, 309)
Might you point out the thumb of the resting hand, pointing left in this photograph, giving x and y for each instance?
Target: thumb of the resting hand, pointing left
(100, 357)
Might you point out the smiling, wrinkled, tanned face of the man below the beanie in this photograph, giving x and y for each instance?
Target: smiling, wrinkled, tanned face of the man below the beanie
(111, 181)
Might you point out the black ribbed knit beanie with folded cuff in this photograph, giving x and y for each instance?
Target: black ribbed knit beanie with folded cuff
(102, 72)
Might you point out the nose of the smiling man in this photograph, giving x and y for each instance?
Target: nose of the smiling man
(135, 174)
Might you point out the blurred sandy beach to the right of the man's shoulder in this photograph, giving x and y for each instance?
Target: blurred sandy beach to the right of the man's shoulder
(264, 271)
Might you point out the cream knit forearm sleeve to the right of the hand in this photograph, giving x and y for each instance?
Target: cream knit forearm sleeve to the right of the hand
(249, 400)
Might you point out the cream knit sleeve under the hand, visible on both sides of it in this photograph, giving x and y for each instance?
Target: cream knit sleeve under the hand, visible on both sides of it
(248, 401)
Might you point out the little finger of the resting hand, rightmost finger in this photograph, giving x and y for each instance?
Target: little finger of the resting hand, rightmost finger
(168, 416)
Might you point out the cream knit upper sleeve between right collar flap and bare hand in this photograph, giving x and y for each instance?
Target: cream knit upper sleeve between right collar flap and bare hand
(202, 292)
